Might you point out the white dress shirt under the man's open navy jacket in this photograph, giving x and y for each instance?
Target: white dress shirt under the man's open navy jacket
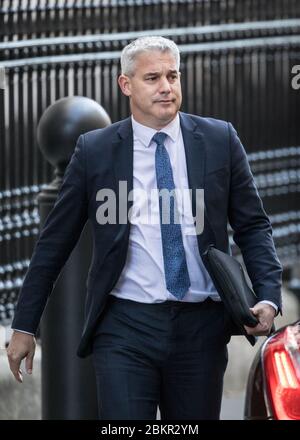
(143, 278)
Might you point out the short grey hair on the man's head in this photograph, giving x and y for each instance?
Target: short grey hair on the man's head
(143, 44)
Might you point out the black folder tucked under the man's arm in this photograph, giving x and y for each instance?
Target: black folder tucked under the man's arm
(230, 281)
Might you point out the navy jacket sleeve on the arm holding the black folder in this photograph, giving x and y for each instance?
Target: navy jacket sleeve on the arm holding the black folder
(252, 231)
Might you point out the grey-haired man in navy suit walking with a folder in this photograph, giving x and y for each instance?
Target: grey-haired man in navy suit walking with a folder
(154, 321)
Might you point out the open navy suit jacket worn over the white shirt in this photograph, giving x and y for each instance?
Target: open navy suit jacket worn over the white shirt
(216, 161)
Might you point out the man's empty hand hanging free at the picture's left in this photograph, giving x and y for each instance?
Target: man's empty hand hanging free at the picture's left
(21, 346)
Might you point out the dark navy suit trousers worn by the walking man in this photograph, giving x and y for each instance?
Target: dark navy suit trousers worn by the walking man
(170, 355)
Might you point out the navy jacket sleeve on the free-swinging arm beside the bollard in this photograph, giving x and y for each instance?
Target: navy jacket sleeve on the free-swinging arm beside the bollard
(56, 241)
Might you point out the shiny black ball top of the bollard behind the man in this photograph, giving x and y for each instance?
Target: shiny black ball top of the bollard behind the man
(63, 122)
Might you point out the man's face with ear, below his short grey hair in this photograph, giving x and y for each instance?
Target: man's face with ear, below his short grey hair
(154, 89)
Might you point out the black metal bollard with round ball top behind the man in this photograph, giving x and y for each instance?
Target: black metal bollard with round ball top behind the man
(68, 382)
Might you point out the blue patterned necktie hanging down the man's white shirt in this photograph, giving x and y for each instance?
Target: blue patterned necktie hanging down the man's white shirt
(176, 272)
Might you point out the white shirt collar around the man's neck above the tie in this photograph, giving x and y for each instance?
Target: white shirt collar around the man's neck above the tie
(144, 134)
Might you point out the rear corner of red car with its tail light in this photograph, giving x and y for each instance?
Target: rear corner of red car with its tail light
(273, 389)
